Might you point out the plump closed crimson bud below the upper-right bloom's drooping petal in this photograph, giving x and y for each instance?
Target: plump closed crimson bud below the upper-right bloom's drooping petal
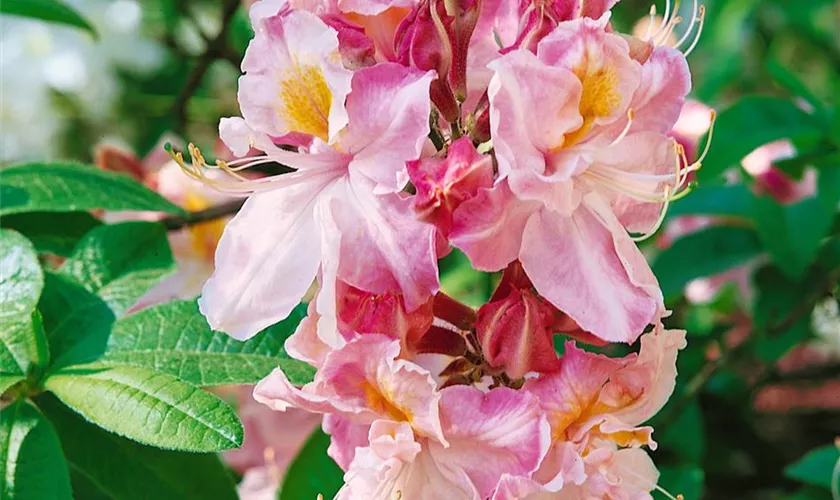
(516, 334)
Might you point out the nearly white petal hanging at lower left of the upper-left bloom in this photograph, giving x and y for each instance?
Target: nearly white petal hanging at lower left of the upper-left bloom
(264, 268)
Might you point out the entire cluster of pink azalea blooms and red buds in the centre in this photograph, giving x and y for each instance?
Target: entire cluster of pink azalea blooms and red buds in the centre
(527, 134)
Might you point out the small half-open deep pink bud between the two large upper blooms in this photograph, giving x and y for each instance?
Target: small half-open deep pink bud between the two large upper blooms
(444, 183)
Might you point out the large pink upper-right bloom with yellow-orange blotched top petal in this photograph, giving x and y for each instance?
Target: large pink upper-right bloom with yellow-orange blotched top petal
(579, 134)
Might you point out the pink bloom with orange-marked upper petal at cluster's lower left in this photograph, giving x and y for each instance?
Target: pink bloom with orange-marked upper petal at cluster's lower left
(395, 432)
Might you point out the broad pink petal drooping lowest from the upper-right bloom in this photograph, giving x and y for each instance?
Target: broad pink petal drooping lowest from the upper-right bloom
(580, 264)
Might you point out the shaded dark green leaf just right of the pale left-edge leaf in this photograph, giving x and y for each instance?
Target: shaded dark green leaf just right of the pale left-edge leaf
(76, 321)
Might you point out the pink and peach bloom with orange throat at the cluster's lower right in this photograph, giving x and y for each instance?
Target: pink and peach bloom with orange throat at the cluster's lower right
(594, 400)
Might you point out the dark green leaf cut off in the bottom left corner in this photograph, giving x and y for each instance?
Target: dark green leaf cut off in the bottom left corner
(31, 461)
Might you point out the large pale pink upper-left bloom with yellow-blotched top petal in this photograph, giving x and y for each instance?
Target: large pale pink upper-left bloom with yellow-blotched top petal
(340, 214)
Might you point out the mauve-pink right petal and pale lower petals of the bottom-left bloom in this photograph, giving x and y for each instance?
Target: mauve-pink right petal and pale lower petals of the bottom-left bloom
(489, 434)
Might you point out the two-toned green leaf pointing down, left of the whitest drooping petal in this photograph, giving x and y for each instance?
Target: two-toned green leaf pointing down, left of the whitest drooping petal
(121, 262)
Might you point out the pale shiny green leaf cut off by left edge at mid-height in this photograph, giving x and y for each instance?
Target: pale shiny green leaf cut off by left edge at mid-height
(21, 283)
